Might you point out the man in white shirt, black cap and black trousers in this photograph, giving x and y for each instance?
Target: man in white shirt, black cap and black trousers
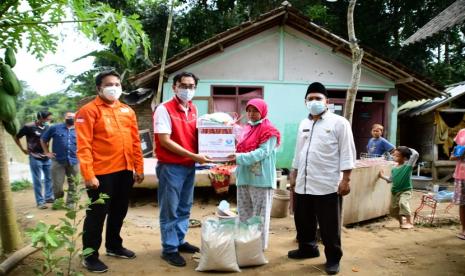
(323, 160)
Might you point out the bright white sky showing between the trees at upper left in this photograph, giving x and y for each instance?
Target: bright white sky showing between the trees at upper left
(72, 45)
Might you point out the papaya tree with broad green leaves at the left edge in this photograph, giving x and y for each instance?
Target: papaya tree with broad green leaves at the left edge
(29, 23)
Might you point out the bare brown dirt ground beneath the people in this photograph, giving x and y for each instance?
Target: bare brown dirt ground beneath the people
(378, 247)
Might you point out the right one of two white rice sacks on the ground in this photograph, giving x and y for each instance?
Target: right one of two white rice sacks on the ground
(248, 241)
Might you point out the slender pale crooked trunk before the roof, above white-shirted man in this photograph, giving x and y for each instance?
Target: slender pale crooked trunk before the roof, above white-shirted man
(357, 55)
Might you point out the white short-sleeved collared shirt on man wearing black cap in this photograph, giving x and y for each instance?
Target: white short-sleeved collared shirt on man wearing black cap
(324, 148)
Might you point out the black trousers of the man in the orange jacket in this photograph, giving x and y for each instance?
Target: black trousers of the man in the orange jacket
(117, 186)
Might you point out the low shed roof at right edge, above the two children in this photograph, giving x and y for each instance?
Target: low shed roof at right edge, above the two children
(416, 108)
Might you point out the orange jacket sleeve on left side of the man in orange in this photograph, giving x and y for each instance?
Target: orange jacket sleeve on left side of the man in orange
(84, 123)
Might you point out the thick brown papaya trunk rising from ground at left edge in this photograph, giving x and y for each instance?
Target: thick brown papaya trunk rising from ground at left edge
(9, 231)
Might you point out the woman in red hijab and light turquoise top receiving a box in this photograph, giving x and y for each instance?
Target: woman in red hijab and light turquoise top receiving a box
(256, 166)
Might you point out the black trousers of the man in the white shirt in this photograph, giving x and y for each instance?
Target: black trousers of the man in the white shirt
(323, 211)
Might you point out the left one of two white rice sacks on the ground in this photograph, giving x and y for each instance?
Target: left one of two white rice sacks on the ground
(217, 249)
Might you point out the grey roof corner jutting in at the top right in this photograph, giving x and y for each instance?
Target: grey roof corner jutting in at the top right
(454, 14)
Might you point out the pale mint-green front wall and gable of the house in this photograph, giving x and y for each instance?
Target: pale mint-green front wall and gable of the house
(283, 61)
